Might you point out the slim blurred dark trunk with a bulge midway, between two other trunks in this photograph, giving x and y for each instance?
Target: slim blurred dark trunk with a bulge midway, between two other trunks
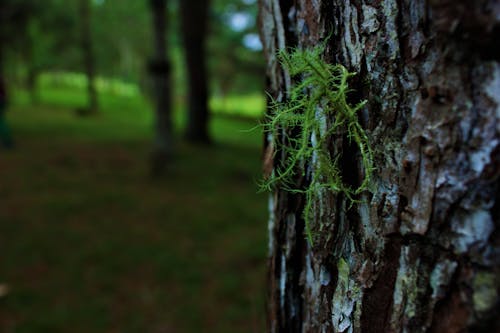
(160, 70)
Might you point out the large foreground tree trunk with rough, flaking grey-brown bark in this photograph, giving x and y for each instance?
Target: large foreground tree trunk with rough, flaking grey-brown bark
(421, 251)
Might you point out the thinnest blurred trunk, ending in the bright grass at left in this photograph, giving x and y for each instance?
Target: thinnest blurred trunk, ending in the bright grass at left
(88, 55)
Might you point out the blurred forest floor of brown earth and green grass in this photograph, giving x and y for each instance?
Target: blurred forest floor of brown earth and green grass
(89, 243)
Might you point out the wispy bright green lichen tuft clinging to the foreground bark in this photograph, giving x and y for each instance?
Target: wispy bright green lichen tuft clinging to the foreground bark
(316, 109)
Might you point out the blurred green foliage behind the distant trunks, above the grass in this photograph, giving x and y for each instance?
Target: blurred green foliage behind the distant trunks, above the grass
(45, 39)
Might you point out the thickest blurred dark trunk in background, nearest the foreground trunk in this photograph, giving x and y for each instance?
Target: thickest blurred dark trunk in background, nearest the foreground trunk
(194, 16)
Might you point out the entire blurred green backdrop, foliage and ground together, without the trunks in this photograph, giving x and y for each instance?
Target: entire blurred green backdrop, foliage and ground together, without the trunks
(89, 242)
